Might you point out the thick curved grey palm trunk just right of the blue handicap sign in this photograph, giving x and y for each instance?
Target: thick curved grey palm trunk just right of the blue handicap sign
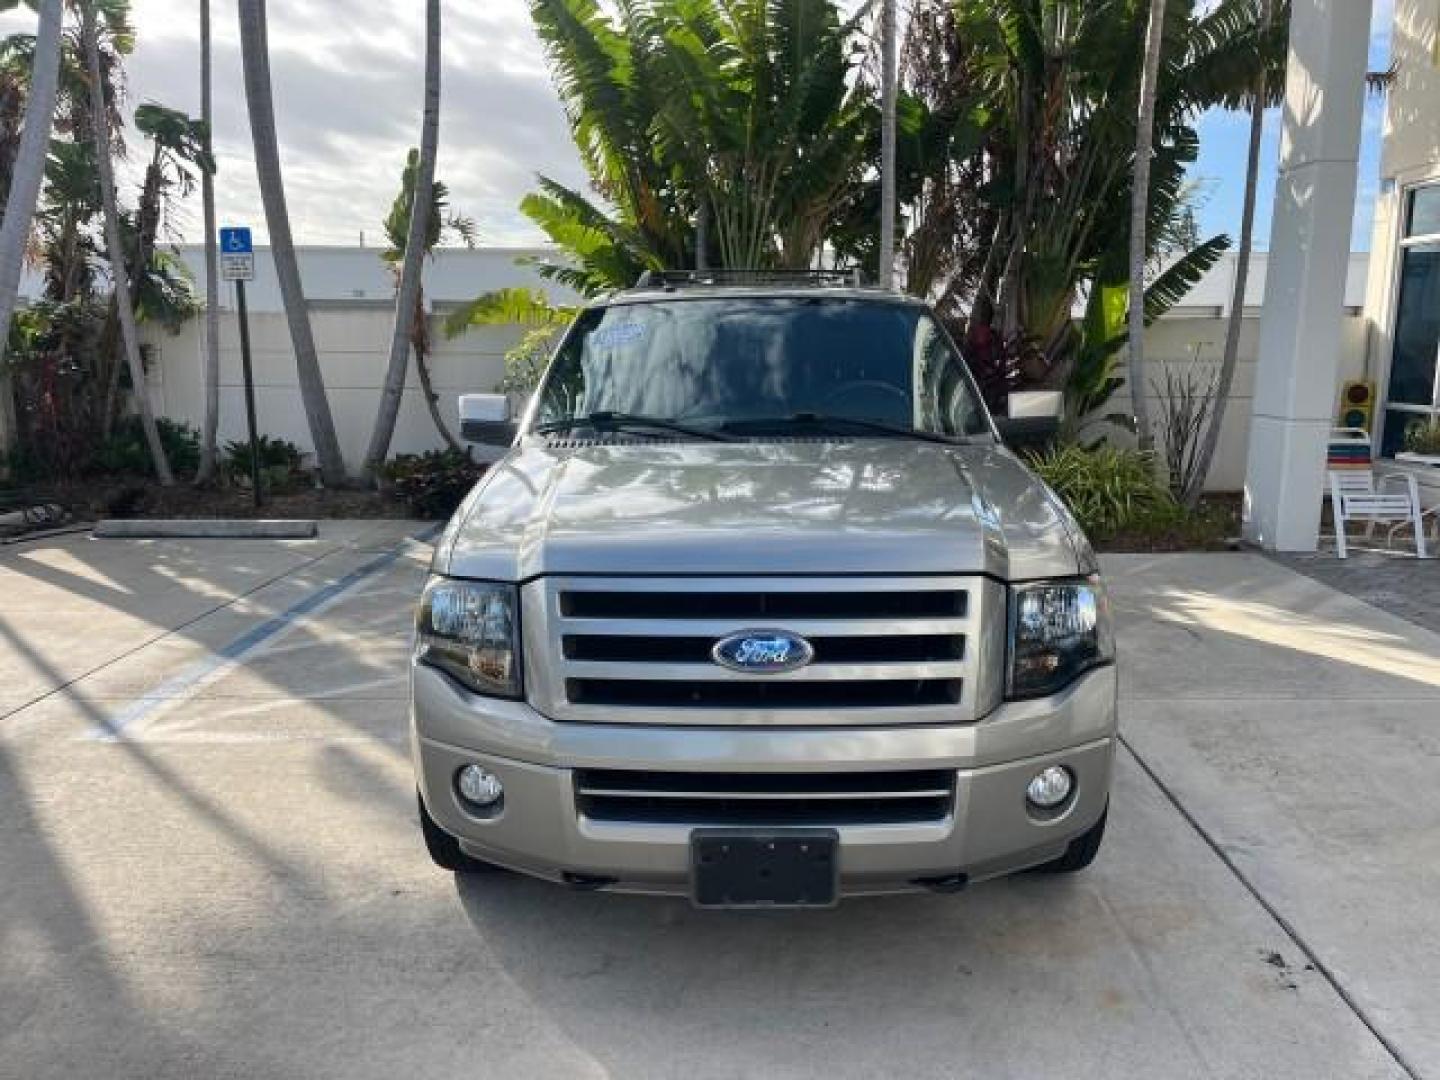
(258, 97)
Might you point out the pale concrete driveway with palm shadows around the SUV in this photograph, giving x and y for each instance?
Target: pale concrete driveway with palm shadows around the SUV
(210, 860)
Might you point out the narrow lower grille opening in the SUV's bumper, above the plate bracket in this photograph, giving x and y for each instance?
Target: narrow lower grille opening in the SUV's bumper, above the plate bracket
(690, 798)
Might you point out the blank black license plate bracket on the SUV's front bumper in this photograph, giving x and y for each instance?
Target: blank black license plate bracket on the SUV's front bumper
(765, 868)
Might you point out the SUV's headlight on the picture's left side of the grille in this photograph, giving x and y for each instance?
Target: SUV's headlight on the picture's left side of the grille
(470, 631)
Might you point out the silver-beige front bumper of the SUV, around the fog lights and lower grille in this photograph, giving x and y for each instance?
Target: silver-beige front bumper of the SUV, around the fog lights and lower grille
(541, 830)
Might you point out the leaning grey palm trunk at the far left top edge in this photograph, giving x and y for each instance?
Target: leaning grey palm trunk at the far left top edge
(30, 163)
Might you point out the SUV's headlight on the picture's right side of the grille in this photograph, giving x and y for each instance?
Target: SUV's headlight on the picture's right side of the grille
(1058, 631)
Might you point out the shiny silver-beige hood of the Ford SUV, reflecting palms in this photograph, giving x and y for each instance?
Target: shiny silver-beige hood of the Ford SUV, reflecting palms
(794, 506)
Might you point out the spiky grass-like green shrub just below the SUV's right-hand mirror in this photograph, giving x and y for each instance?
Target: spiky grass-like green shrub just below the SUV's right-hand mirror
(1107, 489)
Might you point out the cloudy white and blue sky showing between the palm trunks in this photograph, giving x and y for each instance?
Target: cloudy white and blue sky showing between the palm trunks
(348, 93)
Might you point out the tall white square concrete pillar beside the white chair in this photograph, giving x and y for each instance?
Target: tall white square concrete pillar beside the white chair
(1305, 286)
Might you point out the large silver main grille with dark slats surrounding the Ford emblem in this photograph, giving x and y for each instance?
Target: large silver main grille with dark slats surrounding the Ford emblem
(639, 650)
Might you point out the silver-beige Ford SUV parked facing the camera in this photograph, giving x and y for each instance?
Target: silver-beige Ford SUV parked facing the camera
(758, 610)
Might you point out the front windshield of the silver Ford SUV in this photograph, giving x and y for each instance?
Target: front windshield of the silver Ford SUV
(744, 364)
